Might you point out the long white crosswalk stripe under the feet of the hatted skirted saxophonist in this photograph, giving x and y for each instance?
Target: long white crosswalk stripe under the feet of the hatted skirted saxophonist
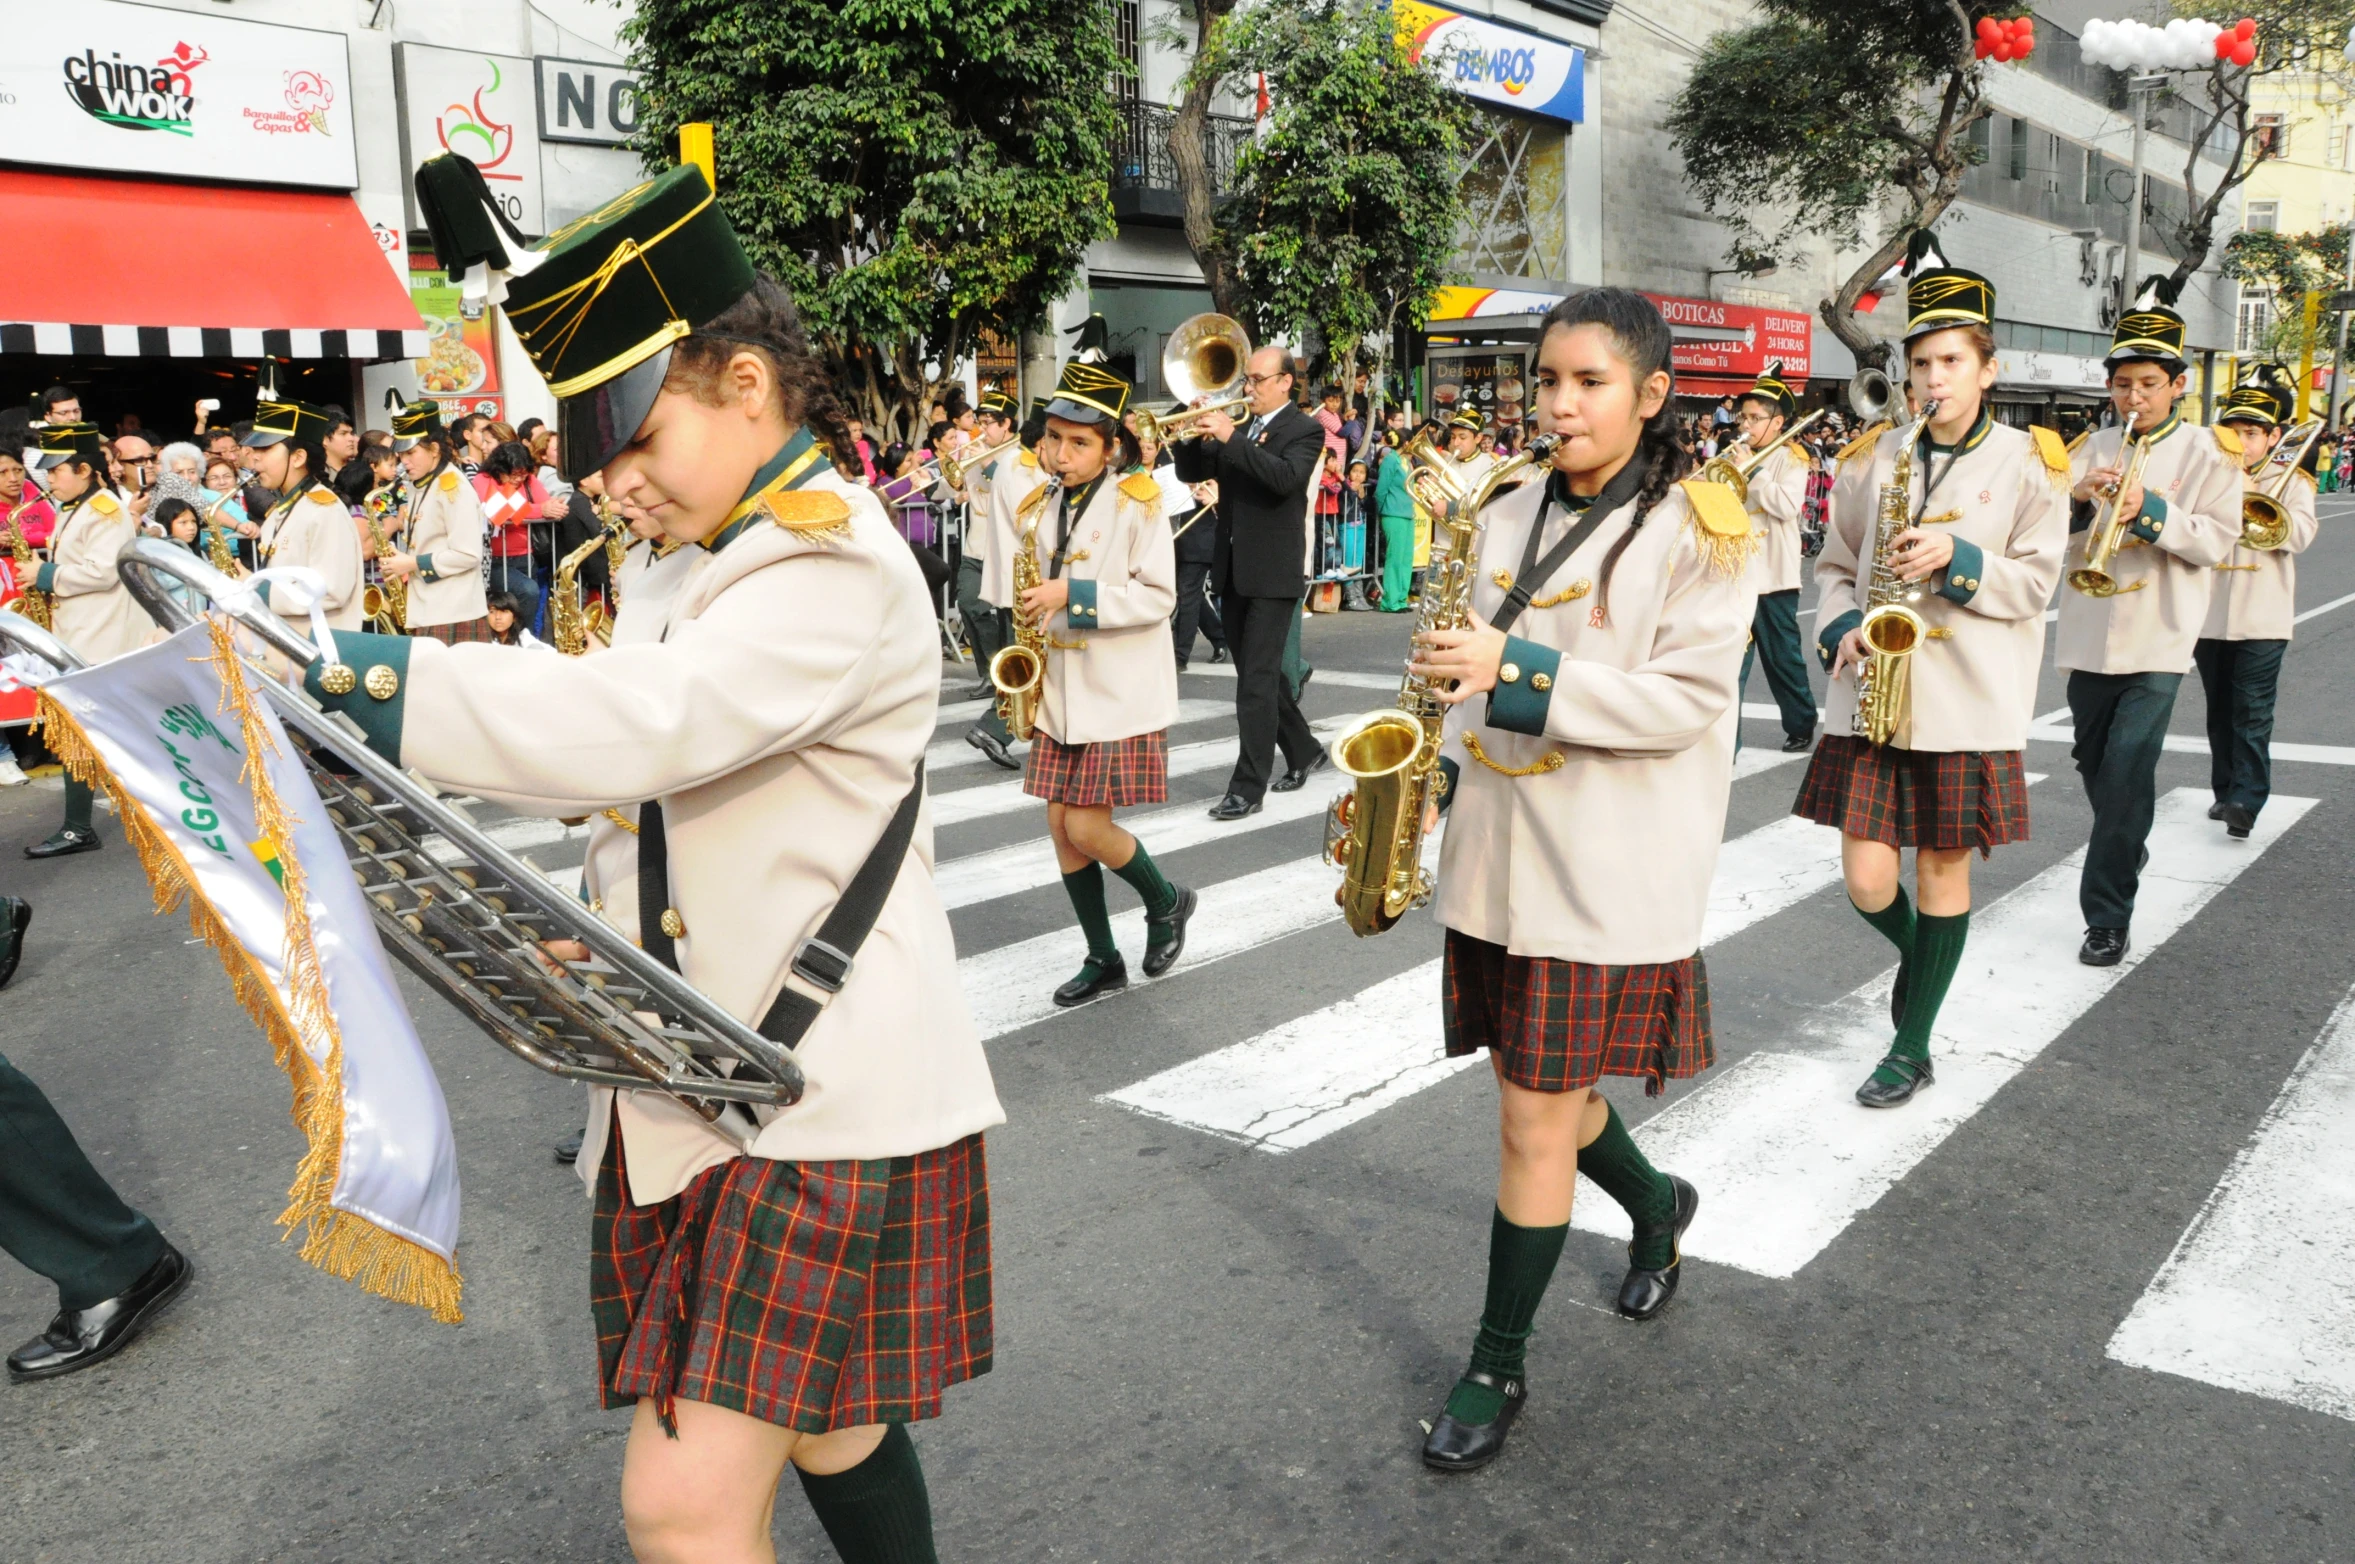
(1784, 1155)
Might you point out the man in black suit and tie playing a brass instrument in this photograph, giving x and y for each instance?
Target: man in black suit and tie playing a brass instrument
(1263, 475)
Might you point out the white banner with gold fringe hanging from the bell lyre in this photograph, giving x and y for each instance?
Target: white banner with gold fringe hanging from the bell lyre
(378, 1188)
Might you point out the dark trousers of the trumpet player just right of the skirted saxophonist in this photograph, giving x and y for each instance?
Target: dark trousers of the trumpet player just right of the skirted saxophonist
(2121, 734)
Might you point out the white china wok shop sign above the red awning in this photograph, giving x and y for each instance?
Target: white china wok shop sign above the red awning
(173, 93)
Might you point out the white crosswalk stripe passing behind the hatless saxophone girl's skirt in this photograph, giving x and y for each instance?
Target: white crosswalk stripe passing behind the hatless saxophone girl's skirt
(1327, 1071)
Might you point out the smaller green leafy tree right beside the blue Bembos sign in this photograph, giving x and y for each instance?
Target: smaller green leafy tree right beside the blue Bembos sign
(1346, 211)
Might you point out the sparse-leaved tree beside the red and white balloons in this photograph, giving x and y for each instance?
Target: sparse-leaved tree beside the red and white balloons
(1836, 119)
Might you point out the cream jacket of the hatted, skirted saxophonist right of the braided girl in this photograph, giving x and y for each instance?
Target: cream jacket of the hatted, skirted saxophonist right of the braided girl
(2005, 503)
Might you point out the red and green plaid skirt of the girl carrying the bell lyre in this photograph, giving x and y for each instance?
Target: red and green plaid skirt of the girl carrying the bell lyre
(807, 1294)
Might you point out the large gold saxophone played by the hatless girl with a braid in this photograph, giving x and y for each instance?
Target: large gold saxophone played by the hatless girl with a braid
(1374, 833)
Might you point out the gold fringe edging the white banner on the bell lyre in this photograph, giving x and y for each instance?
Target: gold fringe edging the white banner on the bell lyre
(338, 1242)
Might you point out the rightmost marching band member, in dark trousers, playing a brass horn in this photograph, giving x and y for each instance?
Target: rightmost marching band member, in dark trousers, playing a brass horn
(2253, 611)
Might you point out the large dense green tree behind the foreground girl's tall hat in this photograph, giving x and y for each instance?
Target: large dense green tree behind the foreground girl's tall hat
(913, 171)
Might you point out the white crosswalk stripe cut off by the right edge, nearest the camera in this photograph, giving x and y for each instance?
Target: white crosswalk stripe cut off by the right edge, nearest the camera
(2257, 1292)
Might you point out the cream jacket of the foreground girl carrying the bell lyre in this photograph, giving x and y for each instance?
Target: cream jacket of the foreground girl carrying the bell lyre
(776, 698)
